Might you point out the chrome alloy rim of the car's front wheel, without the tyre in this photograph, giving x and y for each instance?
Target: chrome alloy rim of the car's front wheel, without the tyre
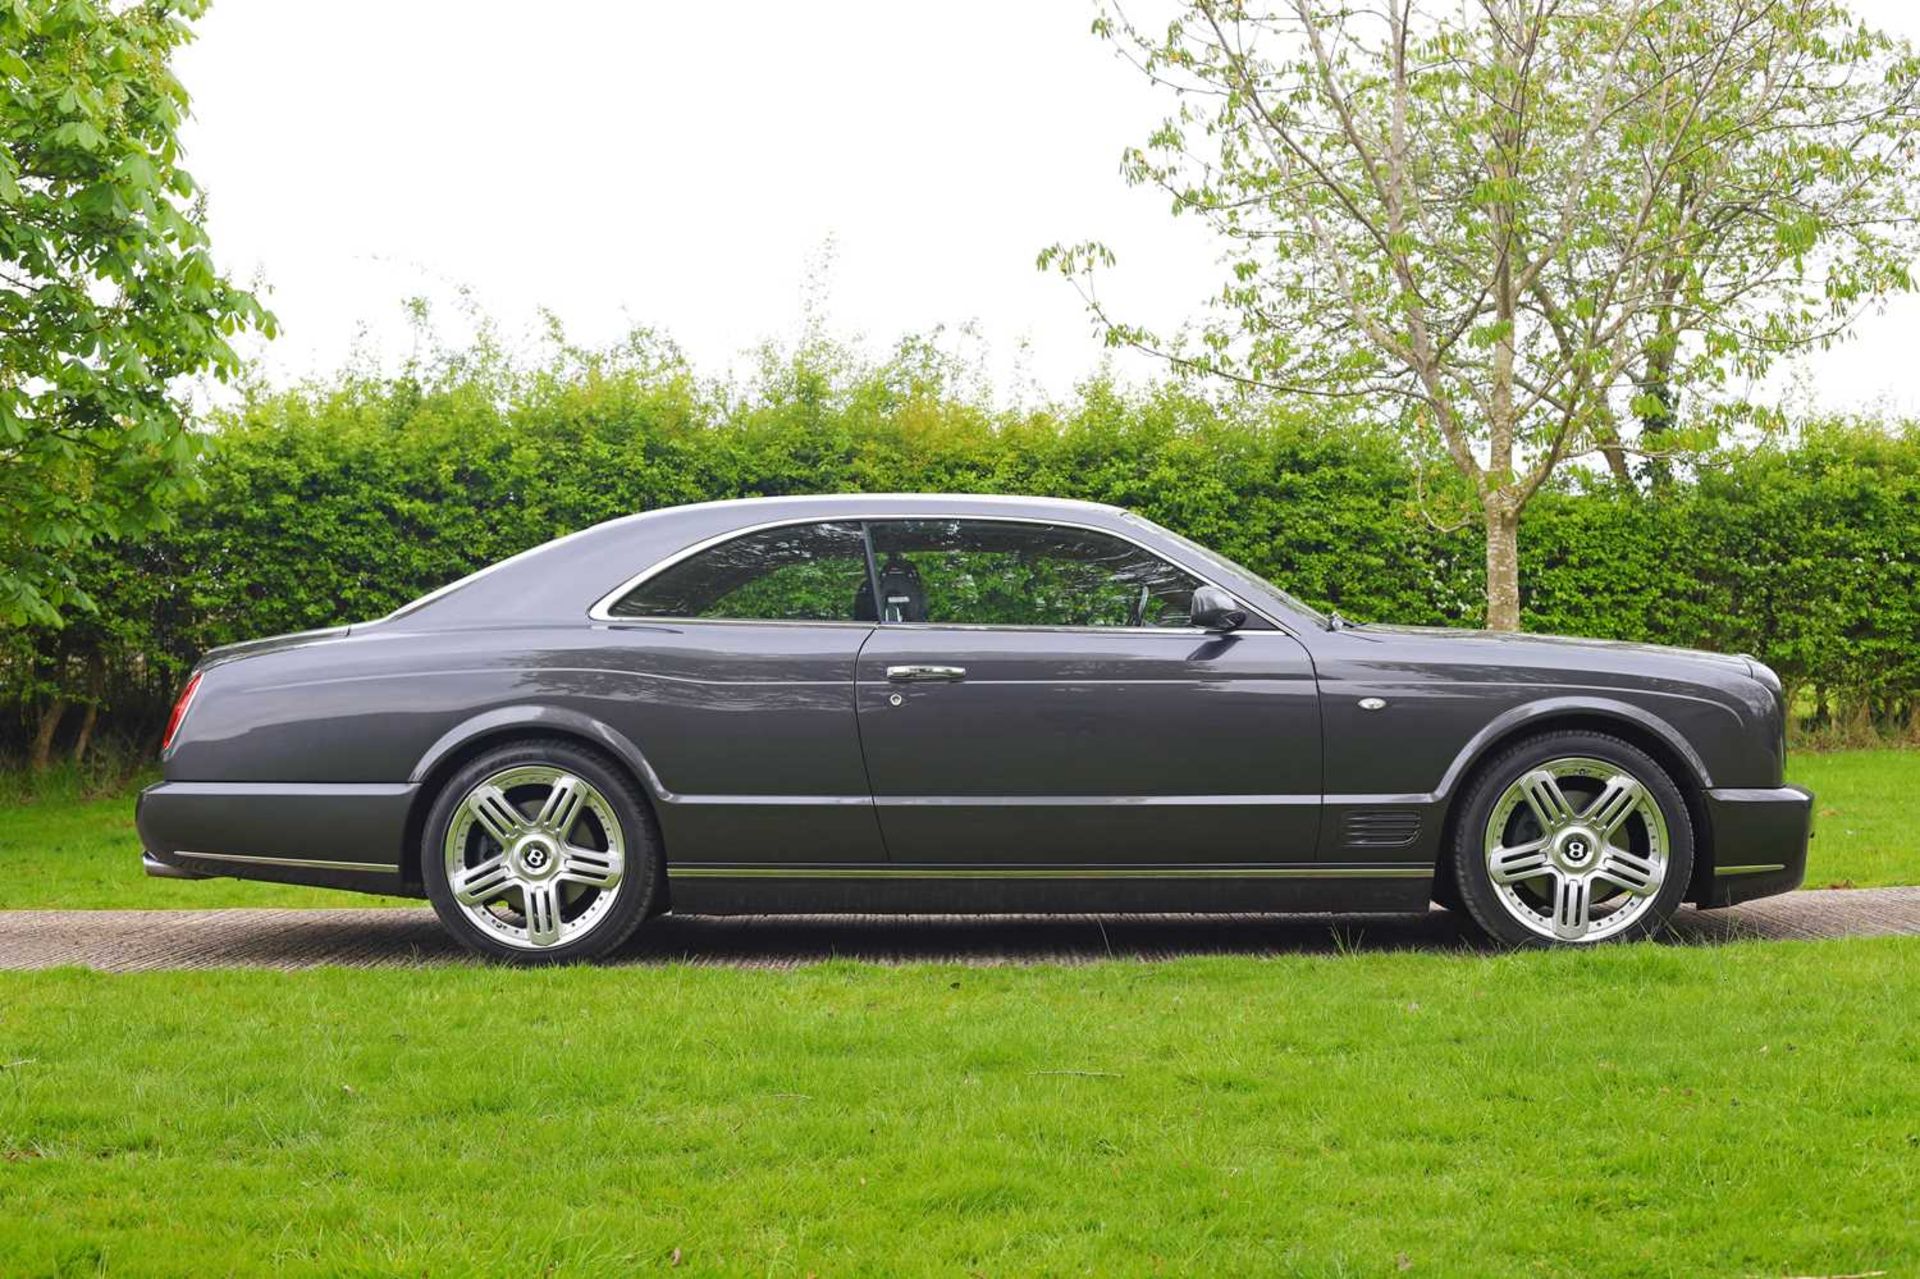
(1577, 850)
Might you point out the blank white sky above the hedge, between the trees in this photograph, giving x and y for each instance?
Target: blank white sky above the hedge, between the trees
(688, 166)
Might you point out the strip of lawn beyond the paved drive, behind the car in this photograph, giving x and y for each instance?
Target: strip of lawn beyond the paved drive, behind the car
(84, 854)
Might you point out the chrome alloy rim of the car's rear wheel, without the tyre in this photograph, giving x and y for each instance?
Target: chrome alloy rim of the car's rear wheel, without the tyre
(535, 856)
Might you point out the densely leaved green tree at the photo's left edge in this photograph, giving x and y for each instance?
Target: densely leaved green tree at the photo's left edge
(108, 297)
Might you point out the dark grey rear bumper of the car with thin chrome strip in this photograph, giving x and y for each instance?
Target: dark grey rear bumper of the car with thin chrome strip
(331, 836)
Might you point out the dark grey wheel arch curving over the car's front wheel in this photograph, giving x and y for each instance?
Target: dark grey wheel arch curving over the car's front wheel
(1618, 719)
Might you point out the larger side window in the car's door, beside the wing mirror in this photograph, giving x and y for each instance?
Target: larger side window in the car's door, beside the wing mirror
(988, 573)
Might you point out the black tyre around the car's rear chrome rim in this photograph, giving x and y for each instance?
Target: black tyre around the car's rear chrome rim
(638, 882)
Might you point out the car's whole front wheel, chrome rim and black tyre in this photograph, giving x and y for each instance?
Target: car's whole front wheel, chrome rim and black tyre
(1573, 838)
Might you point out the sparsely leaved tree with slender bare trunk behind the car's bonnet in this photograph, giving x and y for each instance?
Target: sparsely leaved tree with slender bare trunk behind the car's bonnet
(1527, 226)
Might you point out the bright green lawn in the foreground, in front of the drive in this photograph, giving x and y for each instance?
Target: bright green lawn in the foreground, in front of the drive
(1644, 1111)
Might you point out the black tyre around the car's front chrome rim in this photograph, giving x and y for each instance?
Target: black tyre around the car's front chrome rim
(1476, 884)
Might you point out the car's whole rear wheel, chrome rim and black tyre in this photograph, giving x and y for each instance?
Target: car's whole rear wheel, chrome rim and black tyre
(540, 854)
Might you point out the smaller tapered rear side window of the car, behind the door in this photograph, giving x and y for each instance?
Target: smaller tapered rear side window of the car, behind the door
(800, 573)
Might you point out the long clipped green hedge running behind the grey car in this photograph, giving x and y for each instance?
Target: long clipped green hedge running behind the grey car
(335, 504)
